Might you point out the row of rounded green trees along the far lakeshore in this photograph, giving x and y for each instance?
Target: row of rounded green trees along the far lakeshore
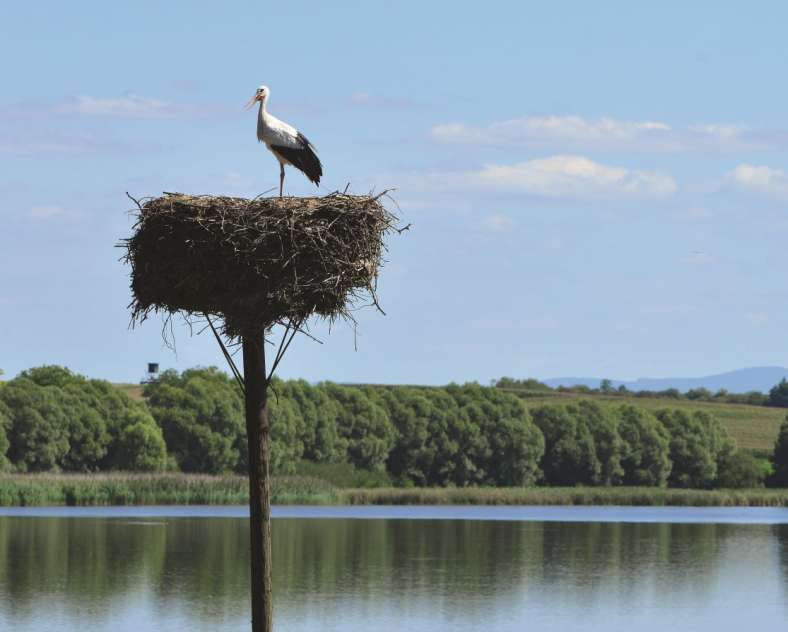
(458, 435)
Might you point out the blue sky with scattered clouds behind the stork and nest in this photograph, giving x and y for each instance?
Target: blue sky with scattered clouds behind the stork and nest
(595, 188)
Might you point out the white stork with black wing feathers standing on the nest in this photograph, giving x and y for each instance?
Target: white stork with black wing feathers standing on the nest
(286, 143)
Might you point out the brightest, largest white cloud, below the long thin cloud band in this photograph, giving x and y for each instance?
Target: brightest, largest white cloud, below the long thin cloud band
(573, 177)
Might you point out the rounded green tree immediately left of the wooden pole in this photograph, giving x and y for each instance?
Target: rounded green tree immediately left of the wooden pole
(201, 416)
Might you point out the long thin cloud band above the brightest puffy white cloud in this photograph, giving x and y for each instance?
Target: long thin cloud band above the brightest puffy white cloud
(609, 134)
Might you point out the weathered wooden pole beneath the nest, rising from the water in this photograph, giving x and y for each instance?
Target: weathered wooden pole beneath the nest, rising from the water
(257, 433)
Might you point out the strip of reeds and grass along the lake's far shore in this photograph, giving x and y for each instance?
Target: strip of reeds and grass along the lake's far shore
(184, 489)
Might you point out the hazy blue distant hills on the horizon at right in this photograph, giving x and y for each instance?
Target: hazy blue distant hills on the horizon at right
(740, 381)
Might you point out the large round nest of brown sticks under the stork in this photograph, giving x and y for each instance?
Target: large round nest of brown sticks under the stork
(255, 263)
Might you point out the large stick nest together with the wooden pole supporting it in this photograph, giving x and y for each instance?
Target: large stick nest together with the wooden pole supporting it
(255, 264)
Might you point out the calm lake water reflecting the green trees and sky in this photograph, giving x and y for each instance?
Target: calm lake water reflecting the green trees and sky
(406, 568)
